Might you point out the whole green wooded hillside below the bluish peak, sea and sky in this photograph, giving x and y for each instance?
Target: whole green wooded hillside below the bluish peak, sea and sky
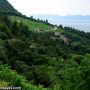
(36, 55)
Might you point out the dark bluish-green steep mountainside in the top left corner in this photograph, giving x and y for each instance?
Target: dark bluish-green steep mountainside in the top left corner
(6, 7)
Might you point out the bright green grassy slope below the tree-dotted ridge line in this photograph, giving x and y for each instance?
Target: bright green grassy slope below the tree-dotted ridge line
(32, 25)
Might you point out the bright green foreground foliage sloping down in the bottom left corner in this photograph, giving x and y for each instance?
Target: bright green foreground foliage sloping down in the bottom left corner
(11, 78)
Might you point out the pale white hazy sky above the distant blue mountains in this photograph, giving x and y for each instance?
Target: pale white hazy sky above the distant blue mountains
(55, 7)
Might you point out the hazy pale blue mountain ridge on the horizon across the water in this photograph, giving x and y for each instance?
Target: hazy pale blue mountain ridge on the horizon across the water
(68, 18)
